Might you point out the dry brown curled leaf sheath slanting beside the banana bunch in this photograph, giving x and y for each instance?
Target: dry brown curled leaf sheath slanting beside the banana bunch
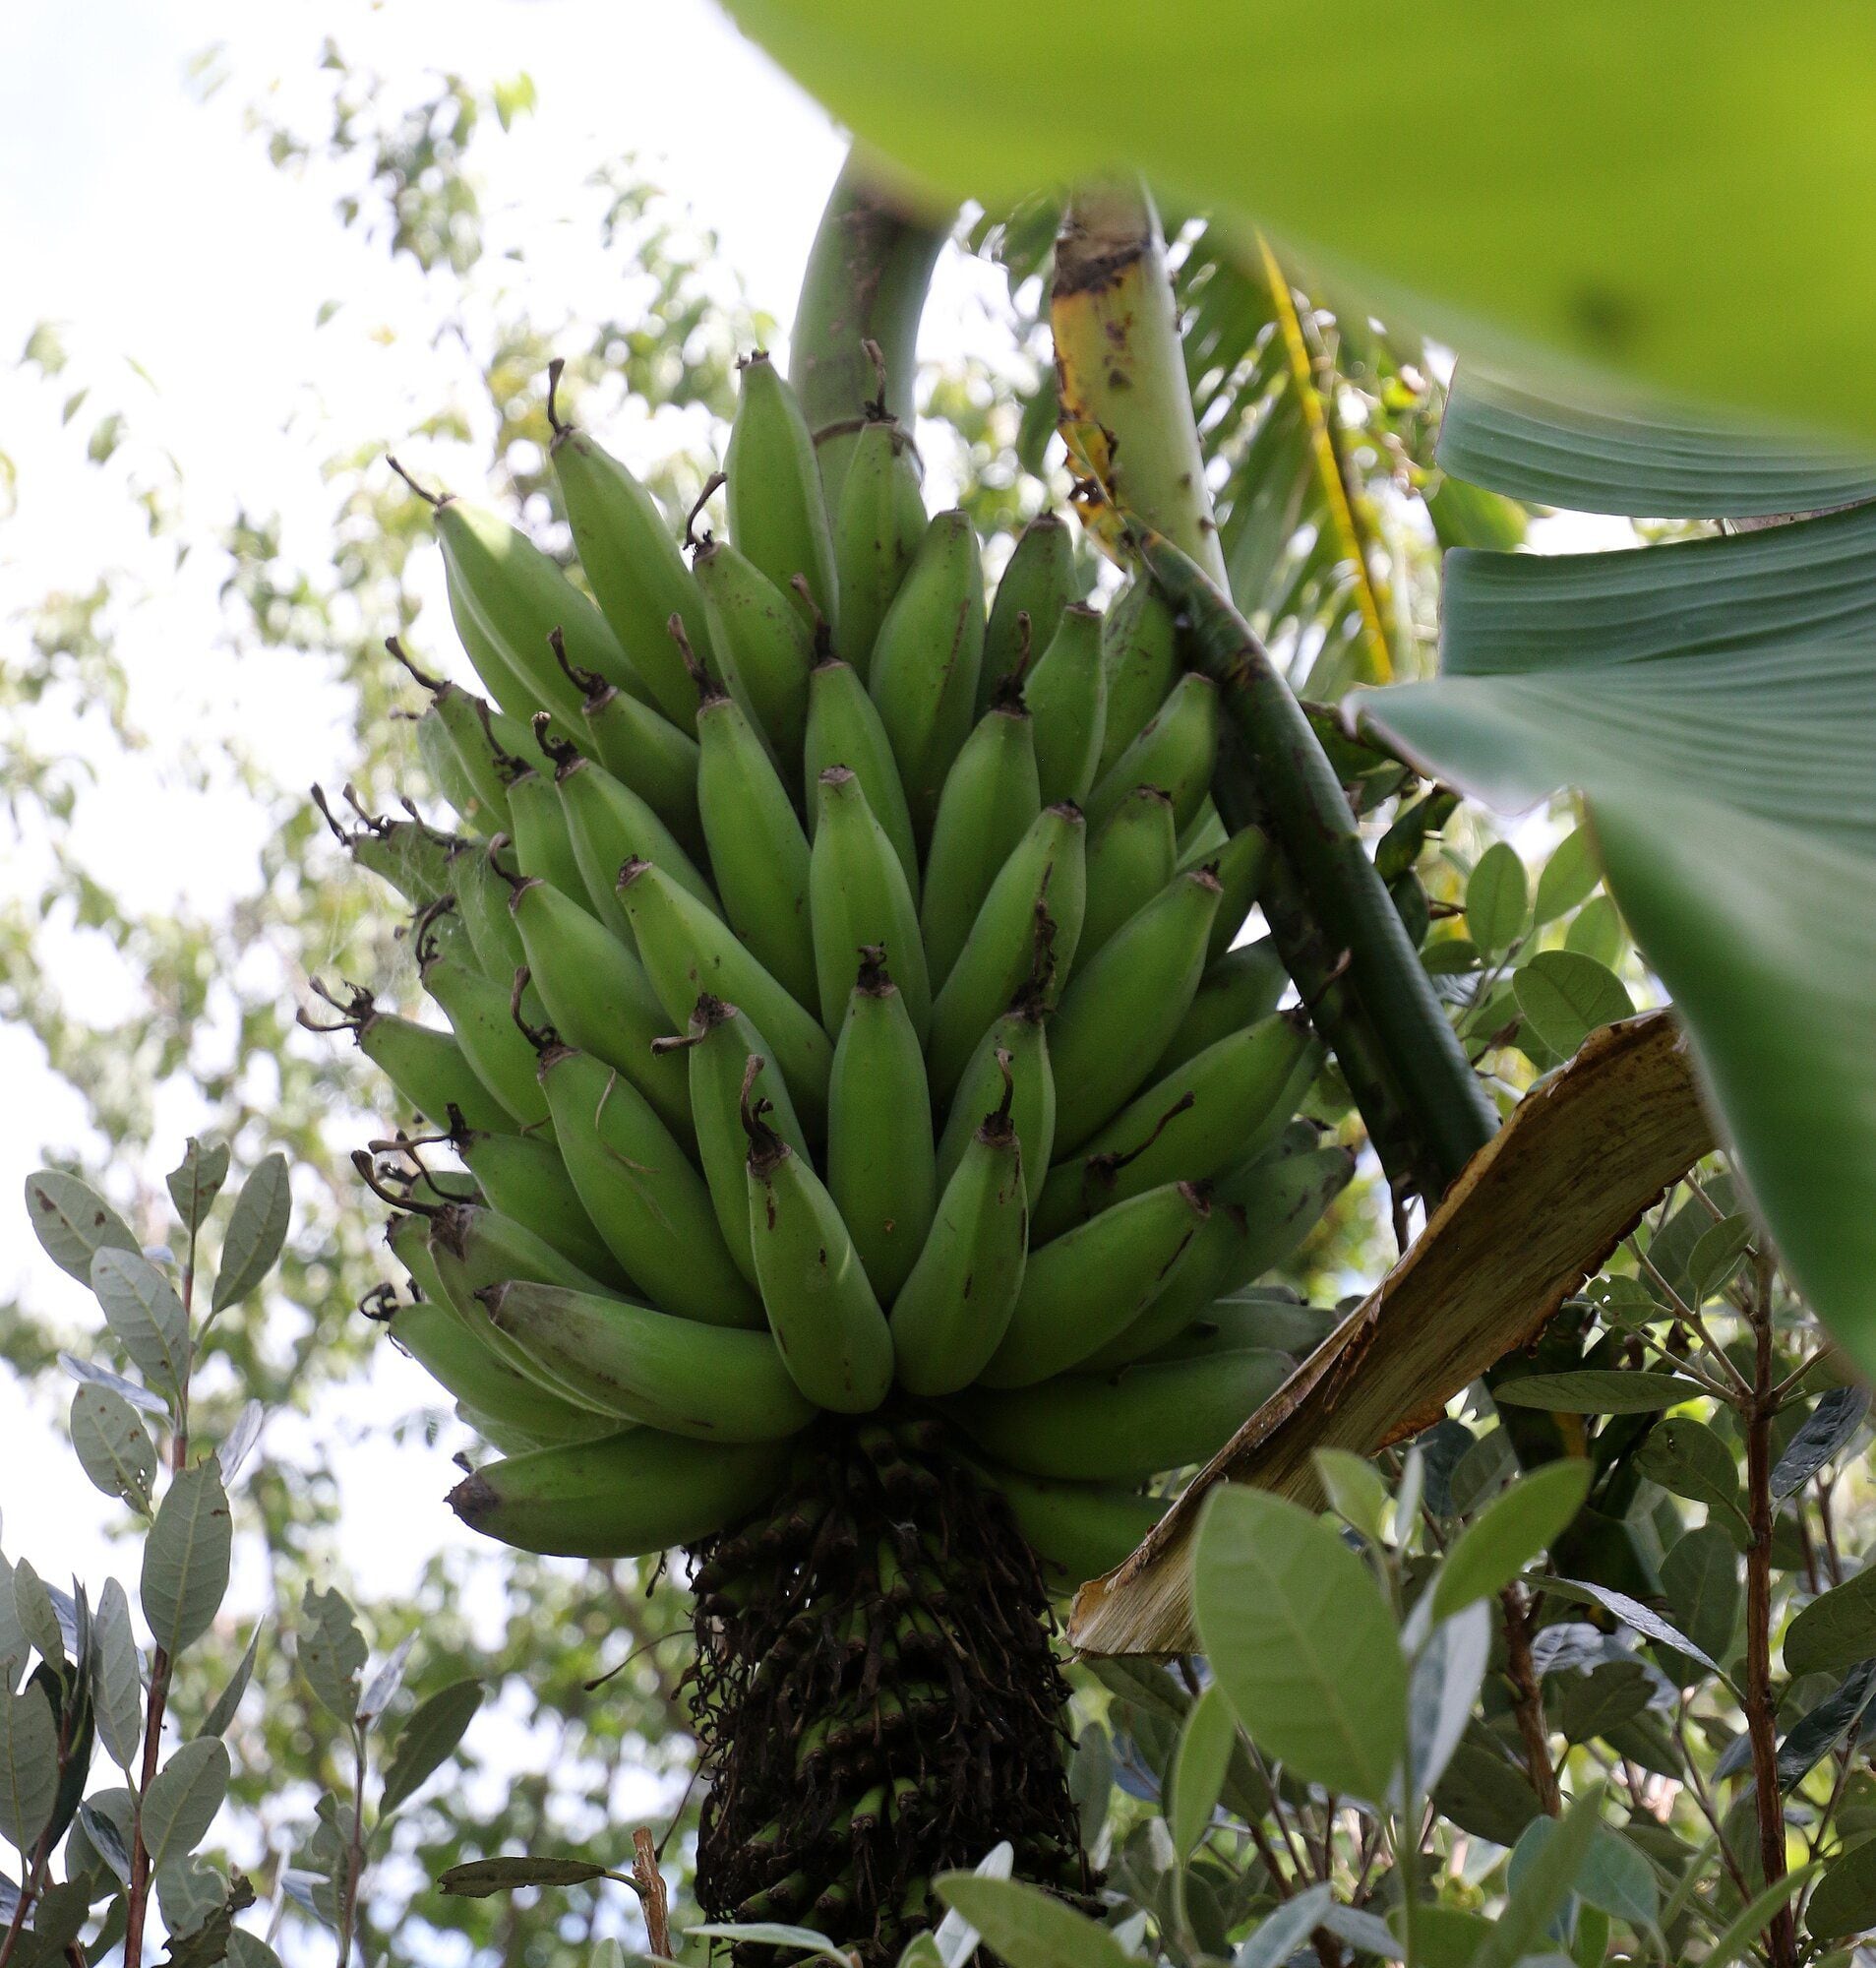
(1537, 1211)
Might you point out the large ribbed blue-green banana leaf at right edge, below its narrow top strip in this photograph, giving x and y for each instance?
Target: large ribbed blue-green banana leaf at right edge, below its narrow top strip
(1716, 706)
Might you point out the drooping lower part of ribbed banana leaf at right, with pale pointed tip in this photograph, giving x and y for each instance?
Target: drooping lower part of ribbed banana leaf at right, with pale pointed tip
(1733, 804)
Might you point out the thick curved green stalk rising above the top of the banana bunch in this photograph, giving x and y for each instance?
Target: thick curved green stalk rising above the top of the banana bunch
(866, 280)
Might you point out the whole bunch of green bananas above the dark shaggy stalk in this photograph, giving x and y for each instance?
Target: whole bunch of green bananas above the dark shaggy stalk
(866, 1022)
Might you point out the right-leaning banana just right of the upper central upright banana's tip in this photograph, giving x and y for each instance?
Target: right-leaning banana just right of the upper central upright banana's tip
(990, 800)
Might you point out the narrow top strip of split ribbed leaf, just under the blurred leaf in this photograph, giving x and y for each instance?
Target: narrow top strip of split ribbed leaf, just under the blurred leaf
(1643, 460)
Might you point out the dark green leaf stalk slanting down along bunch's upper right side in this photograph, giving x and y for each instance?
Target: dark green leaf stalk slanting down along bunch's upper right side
(1315, 830)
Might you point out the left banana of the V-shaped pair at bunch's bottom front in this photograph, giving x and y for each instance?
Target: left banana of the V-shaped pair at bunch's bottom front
(821, 1306)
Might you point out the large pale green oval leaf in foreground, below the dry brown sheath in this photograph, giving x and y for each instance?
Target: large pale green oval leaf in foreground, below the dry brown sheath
(1301, 1638)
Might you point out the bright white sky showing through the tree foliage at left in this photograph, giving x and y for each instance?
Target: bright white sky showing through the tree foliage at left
(117, 182)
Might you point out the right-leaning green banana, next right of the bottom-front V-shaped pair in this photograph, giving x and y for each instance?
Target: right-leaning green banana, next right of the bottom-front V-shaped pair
(1090, 1286)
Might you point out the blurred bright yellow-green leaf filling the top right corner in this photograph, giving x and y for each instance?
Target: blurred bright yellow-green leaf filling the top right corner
(1684, 194)
